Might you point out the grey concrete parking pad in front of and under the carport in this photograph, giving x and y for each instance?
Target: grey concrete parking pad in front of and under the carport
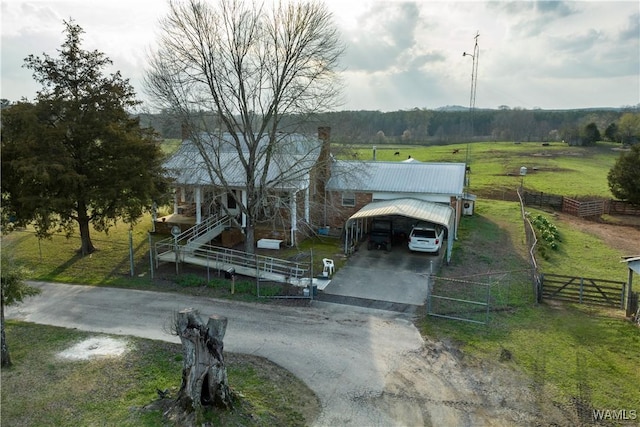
(398, 277)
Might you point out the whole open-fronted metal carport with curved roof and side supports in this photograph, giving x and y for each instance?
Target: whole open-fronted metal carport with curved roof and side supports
(420, 210)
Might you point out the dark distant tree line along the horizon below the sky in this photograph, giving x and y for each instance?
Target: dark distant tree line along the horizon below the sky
(421, 126)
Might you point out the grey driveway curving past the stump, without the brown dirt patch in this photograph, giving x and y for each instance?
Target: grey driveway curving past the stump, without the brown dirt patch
(343, 353)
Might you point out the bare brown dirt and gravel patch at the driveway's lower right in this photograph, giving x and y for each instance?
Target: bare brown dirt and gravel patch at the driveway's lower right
(437, 385)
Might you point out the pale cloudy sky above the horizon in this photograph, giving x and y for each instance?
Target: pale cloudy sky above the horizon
(399, 55)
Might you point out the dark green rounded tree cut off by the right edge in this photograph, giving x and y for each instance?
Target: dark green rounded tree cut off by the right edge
(624, 176)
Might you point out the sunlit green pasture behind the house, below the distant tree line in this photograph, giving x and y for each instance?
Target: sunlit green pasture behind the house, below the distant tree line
(495, 166)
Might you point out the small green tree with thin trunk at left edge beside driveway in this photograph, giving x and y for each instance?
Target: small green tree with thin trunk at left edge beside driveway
(13, 290)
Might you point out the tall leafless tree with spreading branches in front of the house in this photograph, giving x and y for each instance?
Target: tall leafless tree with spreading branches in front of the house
(251, 65)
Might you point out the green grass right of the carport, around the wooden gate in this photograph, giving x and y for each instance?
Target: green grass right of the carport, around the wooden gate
(574, 355)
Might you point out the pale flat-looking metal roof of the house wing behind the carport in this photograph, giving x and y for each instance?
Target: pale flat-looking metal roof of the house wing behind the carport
(397, 177)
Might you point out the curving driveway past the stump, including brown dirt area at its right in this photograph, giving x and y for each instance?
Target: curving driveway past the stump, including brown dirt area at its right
(368, 367)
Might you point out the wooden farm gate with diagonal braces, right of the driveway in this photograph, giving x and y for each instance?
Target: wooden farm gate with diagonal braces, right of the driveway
(583, 290)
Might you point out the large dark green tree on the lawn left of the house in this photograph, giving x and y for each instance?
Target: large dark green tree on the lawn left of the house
(75, 155)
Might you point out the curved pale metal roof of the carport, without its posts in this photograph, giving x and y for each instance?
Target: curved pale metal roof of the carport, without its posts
(413, 208)
